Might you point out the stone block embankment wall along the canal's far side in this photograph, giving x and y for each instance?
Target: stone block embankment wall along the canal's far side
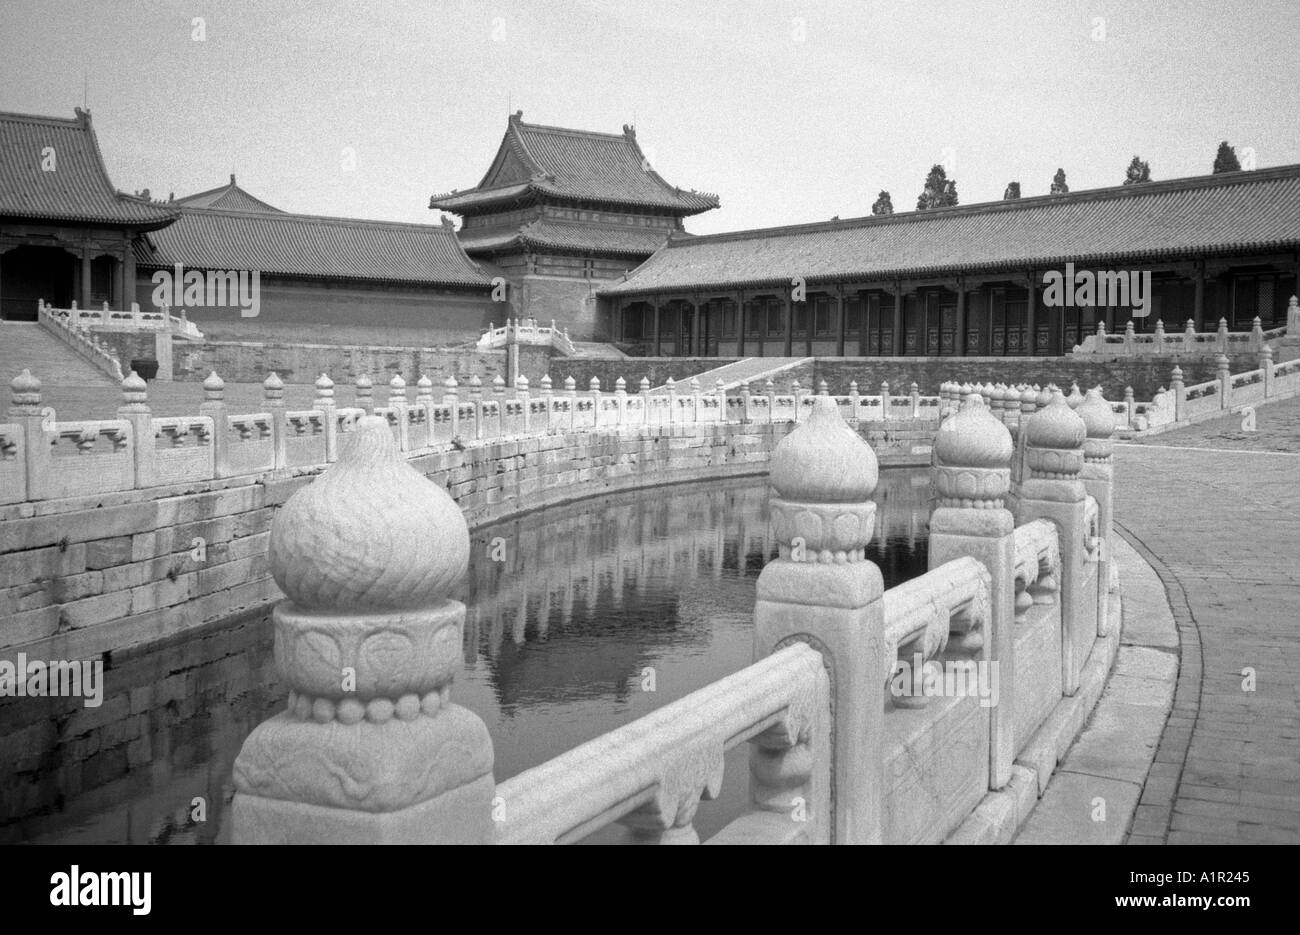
(93, 575)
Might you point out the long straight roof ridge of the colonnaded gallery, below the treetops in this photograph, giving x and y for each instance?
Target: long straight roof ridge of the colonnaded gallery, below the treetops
(1116, 192)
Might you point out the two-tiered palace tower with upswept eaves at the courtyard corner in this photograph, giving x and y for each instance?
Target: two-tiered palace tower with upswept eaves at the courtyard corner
(562, 213)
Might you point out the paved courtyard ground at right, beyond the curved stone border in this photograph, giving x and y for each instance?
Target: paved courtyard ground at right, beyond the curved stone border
(1217, 513)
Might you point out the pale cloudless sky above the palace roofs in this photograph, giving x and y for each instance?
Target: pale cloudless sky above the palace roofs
(791, 112)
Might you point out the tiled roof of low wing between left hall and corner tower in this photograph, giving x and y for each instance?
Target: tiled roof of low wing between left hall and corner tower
(314, 248)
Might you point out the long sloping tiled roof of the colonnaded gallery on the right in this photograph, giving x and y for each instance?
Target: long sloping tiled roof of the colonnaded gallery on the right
(1210, 215)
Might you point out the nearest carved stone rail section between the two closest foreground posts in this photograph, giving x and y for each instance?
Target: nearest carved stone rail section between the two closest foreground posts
(652, 774)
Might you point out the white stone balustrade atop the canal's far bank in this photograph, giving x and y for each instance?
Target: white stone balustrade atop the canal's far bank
(279, 440)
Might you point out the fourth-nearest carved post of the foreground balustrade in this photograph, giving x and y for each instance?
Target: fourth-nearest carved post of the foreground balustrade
(1054, 454)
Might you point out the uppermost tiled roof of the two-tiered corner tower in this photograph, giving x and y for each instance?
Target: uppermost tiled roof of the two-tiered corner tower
(573, 166)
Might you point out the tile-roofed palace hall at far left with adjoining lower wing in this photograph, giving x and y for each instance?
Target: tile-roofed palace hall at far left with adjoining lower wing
(68, 236)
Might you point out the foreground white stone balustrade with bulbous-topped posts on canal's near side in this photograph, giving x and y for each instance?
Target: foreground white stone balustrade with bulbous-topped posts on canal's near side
(844, 747)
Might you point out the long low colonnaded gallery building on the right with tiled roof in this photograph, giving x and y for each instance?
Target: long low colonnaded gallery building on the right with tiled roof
(969, 280)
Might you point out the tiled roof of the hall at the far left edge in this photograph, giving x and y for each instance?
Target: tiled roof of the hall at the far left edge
(77, 189)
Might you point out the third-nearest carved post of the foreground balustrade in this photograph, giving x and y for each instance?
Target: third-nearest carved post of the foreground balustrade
(972, 471)
